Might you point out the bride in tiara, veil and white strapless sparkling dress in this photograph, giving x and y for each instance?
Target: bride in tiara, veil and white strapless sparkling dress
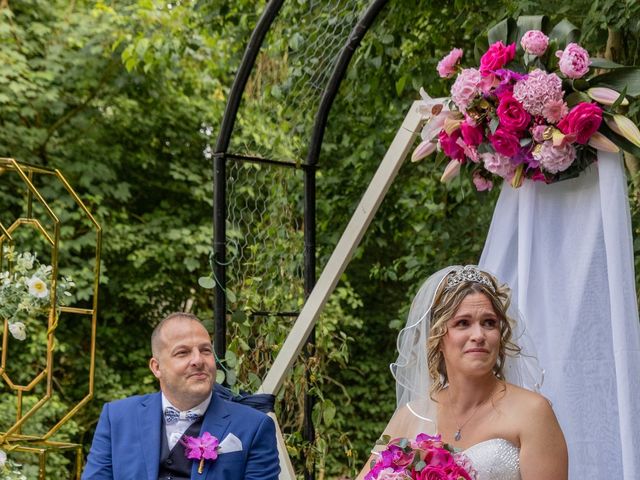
(466, 372)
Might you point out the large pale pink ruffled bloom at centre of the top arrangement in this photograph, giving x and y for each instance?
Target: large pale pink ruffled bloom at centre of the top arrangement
(537, 90)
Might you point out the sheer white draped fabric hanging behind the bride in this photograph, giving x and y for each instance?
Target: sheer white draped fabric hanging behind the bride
(566, 250)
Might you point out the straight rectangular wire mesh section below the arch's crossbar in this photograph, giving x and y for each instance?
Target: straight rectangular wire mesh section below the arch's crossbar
(265, 242)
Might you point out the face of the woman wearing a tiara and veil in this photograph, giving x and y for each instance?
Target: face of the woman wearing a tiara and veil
(472, 341)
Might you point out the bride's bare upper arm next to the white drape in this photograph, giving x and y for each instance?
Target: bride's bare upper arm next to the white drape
(543, 450)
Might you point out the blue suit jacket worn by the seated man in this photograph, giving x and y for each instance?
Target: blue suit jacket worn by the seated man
(126, 445)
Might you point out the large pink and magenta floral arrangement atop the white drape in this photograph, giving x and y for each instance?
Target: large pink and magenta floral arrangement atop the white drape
(530, 109)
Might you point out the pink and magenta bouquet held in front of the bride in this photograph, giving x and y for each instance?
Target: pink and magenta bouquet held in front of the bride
(424, 458)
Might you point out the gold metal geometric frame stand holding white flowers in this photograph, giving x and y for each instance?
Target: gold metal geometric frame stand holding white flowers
(48, 228)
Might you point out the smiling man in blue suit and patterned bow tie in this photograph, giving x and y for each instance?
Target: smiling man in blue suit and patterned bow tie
(139, 438)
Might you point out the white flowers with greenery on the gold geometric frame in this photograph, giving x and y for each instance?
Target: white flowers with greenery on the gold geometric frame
(24, 291)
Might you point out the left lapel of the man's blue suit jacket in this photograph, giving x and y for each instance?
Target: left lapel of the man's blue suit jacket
(149, 417)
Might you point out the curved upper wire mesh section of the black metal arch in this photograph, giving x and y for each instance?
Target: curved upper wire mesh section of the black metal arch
(292, 71)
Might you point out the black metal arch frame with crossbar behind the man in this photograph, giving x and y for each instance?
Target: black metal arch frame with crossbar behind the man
(309, 168)
